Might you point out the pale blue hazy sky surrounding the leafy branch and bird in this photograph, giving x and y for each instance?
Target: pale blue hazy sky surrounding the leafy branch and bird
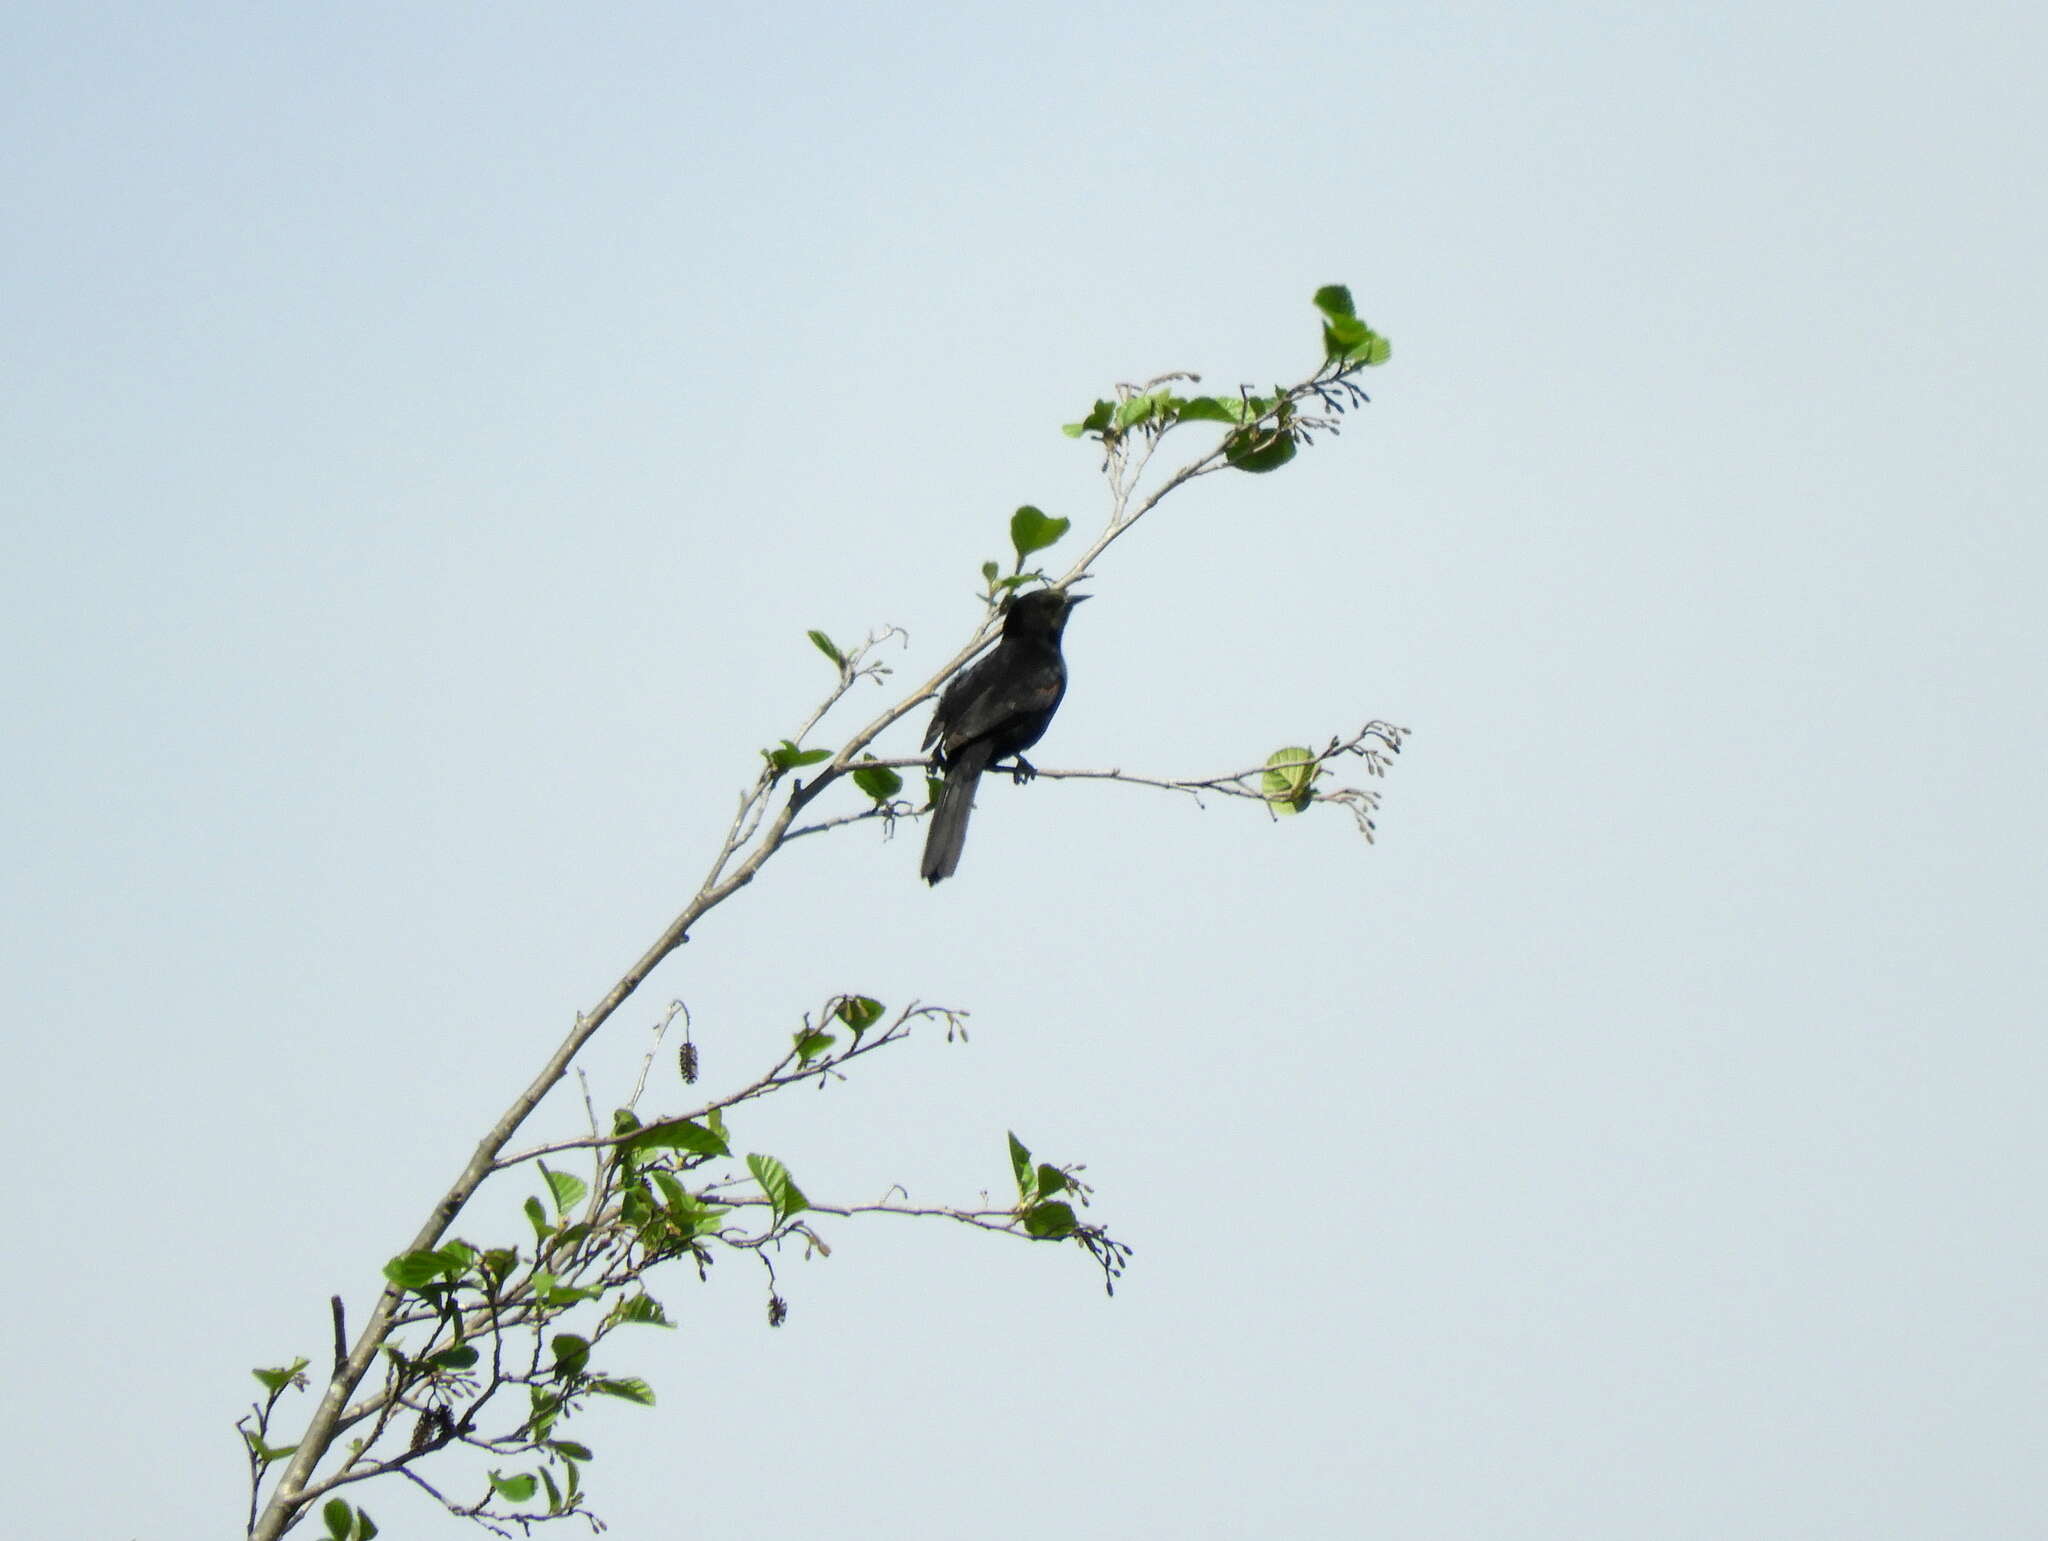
(429, 433)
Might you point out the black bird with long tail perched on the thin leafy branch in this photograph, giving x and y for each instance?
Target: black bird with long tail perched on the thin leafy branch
(998, 708)
